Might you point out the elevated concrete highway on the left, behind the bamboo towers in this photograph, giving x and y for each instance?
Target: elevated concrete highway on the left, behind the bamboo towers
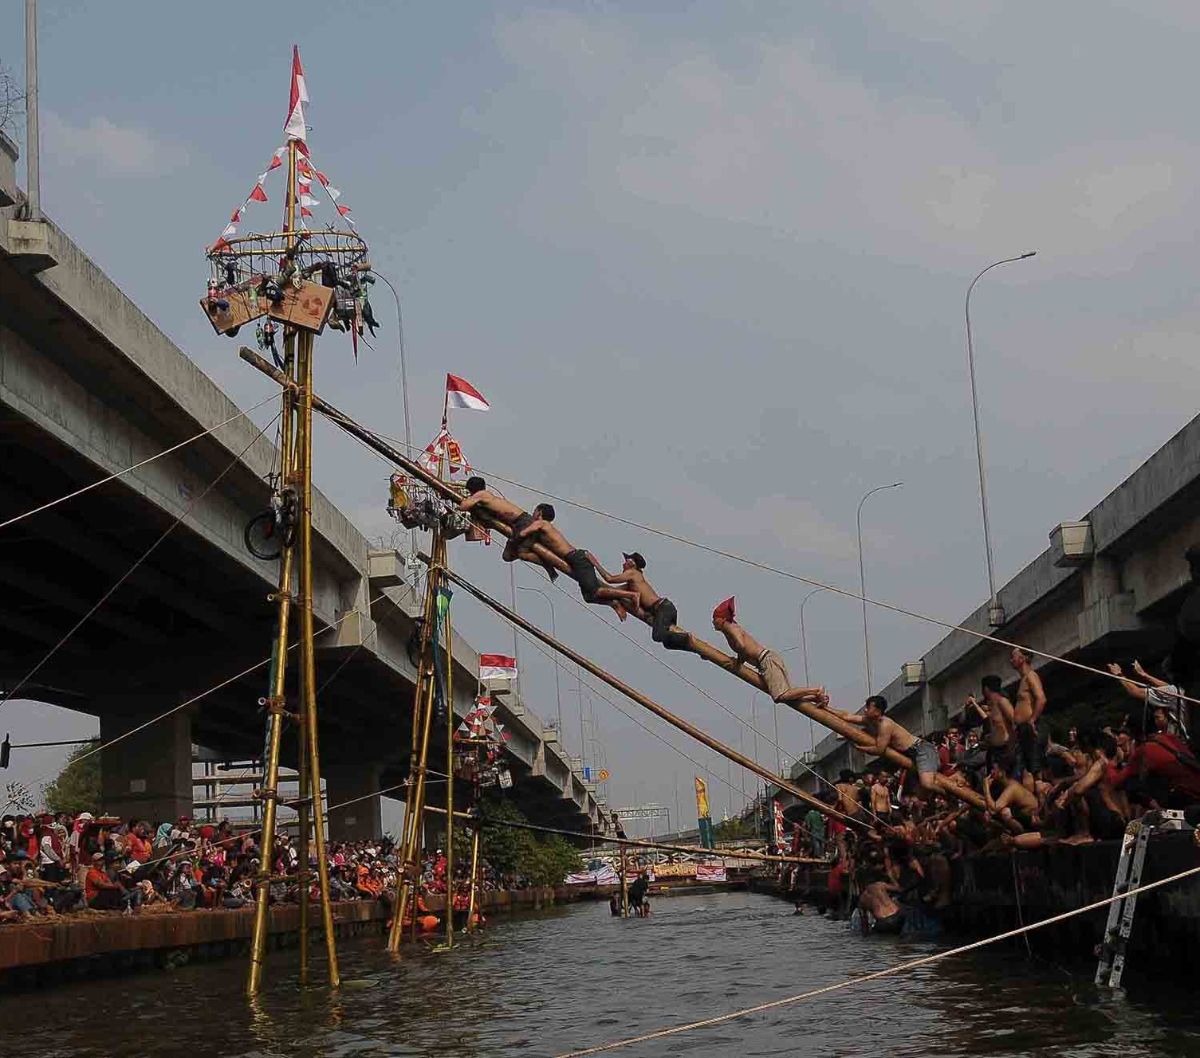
(89, 387)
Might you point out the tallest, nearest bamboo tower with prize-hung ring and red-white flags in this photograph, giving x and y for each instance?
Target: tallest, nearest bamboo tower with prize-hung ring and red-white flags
(263, 279)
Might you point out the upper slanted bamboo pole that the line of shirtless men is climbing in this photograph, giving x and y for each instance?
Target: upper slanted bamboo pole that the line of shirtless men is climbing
(697, 646)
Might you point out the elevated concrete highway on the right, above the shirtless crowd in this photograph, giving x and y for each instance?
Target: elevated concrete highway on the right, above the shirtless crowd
(1107, 588)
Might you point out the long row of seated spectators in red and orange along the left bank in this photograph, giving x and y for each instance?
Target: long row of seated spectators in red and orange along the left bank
(64, 864)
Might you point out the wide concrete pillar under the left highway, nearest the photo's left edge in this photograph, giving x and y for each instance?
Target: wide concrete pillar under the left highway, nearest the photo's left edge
(148, 774)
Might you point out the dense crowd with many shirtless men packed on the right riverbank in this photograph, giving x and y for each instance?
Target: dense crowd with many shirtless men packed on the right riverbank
(1039, 788)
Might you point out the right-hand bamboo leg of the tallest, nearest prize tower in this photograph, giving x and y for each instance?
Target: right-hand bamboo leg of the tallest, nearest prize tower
(309, 654)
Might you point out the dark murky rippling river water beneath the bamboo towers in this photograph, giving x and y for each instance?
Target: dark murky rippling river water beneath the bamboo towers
(545, 984)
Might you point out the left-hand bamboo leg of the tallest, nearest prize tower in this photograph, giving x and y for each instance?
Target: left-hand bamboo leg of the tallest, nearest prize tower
(277, 687)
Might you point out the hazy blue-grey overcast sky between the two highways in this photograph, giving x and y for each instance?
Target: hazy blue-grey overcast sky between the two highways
(707, 262)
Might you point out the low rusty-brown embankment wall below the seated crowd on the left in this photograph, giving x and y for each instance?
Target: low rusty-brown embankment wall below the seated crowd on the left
(92, 945)
